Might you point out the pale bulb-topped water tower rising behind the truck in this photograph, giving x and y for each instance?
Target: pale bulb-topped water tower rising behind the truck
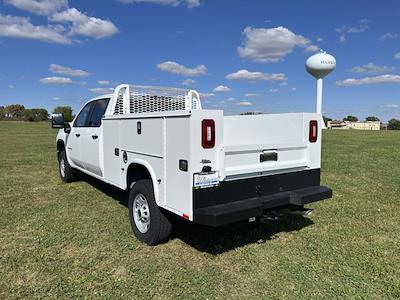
(319, 65)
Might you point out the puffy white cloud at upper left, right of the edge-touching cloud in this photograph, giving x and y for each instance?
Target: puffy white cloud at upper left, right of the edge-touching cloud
(85, 25)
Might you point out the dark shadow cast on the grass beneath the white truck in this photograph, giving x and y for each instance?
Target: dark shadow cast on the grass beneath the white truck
(215, 240)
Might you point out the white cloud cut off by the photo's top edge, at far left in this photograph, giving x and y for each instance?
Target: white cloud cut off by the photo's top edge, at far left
(39, 7)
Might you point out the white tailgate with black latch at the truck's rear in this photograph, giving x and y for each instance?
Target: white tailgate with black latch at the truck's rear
(267, 143)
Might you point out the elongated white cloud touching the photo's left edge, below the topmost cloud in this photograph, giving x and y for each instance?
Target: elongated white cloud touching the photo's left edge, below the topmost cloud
(22, 28)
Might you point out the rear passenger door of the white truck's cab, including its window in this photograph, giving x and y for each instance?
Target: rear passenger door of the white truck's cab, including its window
(92, 139)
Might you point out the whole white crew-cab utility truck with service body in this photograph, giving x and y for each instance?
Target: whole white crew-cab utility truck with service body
(176, 158)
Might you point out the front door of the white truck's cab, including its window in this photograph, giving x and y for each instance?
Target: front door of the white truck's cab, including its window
(74, 143)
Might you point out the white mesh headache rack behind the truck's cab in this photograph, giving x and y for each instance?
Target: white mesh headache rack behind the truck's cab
(137, 99)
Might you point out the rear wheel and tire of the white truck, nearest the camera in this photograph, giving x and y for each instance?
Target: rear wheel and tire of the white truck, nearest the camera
(149, 224)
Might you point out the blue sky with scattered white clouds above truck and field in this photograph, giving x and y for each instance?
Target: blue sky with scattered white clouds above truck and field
(241, 55)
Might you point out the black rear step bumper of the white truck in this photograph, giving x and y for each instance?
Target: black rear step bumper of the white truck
(258, 194)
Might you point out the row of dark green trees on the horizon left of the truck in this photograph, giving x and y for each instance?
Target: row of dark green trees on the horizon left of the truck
(18, 112)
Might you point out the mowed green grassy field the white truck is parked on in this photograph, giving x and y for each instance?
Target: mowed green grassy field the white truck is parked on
(74, 240)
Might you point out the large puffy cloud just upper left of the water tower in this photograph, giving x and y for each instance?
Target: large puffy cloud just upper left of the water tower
(271, 44)
